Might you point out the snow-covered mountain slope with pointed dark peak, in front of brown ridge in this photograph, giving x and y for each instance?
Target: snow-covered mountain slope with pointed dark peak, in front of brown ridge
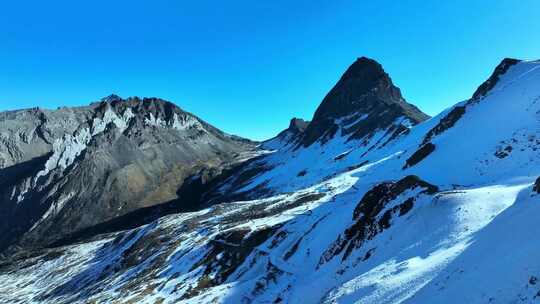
(369, 202)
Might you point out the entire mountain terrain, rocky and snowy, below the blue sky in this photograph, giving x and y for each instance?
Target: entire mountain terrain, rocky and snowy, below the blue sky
(372, 201)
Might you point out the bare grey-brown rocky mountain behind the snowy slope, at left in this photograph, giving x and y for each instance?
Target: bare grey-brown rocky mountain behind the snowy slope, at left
(70, 169)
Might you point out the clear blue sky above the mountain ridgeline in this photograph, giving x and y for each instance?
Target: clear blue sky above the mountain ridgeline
(249, 66)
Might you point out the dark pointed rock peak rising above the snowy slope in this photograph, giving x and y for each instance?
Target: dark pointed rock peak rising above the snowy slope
(363, 101)
